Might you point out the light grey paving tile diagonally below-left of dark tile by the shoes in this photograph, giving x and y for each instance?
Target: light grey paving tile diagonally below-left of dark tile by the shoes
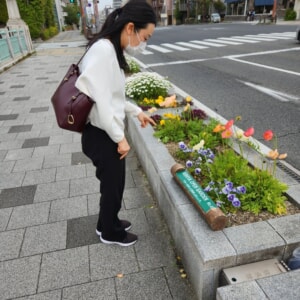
(64, 268)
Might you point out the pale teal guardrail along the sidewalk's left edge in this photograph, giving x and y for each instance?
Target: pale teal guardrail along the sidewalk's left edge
(13, 46)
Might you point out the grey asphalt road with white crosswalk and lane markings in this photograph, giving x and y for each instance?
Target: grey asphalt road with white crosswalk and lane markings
(257, 78)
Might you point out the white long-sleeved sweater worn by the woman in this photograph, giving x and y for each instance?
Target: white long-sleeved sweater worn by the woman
(103, 80)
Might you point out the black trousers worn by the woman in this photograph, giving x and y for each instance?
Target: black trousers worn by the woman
(110, 170)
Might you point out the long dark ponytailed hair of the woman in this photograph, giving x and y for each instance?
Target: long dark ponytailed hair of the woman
(139, 12)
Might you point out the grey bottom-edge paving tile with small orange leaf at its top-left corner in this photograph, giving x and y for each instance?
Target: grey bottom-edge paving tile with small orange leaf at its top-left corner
(151, 285)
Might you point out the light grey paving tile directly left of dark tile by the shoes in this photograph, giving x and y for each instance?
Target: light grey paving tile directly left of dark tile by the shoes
(44, 238)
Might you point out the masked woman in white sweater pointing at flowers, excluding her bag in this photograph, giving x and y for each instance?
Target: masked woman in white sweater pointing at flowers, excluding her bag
(103, 140)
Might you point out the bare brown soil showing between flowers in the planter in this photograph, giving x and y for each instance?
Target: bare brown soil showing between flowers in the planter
(243, 217)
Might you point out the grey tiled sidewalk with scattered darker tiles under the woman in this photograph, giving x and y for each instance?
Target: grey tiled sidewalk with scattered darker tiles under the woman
(49, 203)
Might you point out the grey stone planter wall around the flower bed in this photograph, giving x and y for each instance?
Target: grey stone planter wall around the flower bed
(205, 252)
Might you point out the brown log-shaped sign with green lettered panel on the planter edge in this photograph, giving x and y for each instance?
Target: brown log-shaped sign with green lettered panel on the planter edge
(213, 215)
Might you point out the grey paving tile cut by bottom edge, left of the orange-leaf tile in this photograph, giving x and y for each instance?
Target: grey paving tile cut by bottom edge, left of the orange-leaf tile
(99, 290)
